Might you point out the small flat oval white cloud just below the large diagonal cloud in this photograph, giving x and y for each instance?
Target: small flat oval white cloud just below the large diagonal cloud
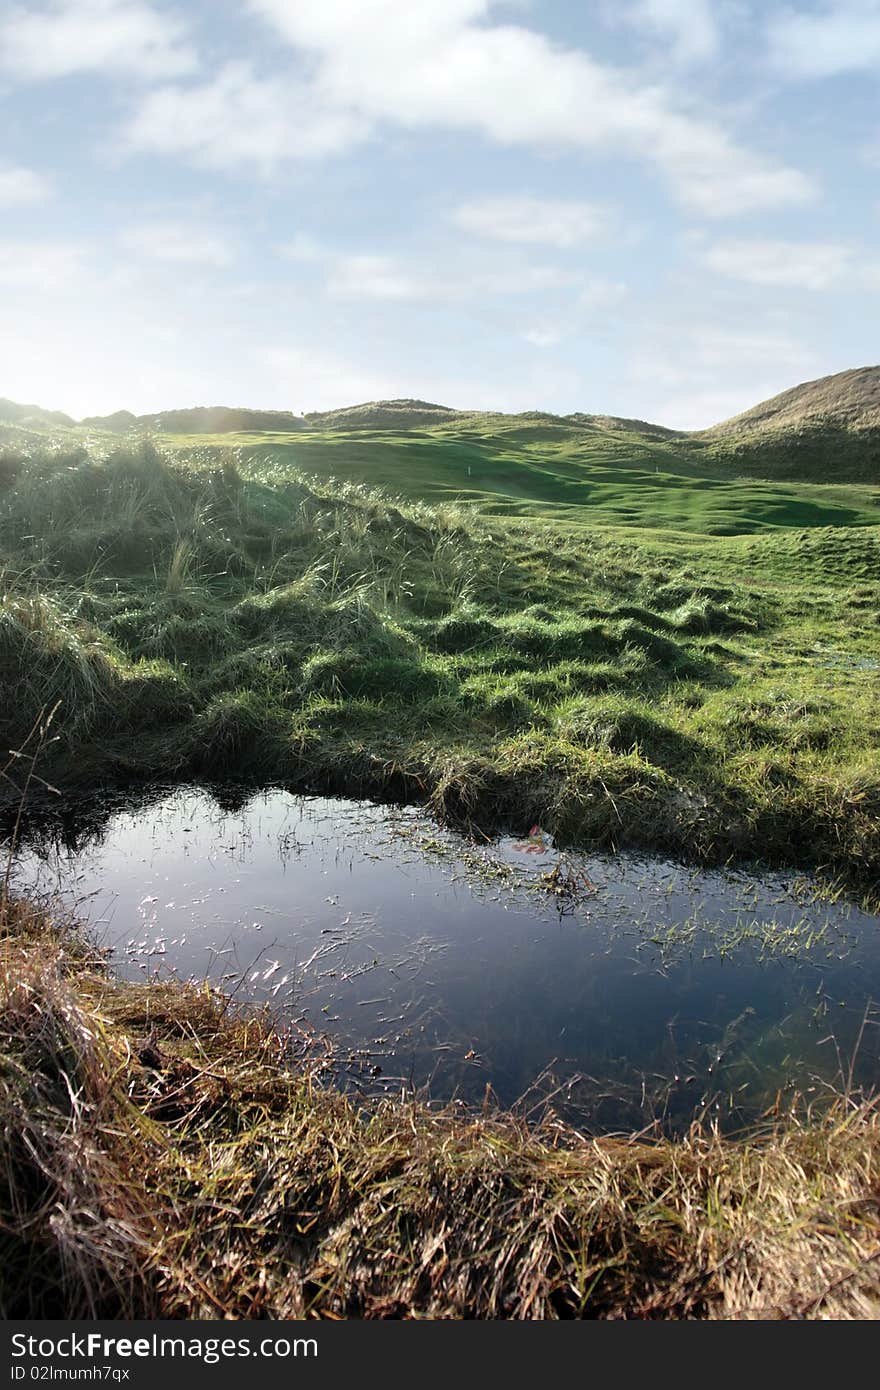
(541, 222)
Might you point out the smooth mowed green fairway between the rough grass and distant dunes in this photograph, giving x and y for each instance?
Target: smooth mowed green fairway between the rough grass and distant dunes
(568, 473)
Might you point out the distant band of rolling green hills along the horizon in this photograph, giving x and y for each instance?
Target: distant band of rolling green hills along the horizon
(808, 458)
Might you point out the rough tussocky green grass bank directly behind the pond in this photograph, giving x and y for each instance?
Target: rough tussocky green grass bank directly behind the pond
(199, 618)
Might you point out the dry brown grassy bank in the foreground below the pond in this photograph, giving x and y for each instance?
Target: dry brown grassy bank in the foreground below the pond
(163, 1156)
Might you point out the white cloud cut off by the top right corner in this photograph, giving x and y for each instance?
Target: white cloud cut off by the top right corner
(842, 37)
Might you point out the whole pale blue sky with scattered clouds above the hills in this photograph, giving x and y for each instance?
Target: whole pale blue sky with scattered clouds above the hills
(664, 209)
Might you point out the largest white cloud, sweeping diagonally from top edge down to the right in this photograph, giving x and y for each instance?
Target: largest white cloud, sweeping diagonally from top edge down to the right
(440, 65)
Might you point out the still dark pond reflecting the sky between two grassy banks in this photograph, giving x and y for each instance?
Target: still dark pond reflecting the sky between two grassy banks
(651, 992)
